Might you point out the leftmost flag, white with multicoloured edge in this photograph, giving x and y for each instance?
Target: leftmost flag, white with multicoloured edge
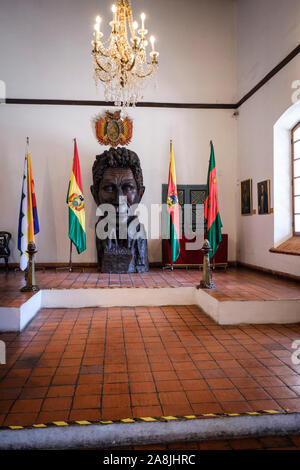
(28, 216)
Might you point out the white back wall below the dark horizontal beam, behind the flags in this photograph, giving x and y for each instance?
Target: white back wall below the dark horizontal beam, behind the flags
(52, 129)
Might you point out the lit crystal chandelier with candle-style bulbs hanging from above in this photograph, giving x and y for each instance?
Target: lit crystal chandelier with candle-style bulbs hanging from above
(121, 61)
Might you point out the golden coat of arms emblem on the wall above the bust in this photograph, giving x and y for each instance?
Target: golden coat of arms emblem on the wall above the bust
(112, 130)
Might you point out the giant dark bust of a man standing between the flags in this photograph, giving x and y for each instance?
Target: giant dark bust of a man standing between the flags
(117, 188)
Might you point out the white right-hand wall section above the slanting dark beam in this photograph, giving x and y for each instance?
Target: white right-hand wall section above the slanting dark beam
(267, 31)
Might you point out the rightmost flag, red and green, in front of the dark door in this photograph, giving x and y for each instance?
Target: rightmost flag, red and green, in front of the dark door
(211, 210)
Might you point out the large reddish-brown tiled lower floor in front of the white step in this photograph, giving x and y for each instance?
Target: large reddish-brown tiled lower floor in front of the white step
(114, 363)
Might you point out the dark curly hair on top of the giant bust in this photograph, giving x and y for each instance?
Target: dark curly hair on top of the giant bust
(120, 157)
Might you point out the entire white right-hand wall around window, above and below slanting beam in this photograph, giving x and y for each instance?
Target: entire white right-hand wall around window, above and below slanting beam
(268, 30)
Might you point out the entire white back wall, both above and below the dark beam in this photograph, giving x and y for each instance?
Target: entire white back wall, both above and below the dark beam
(45, 53)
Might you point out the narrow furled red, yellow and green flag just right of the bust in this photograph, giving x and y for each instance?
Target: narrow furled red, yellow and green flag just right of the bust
(173, 208)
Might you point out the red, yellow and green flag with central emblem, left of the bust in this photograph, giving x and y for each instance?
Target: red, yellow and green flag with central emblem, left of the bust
(75, 202)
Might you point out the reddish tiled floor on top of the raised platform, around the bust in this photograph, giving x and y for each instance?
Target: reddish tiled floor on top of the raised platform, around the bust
(234, 284)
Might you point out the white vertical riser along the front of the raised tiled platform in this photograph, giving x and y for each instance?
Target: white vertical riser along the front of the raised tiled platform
(223, 312)
